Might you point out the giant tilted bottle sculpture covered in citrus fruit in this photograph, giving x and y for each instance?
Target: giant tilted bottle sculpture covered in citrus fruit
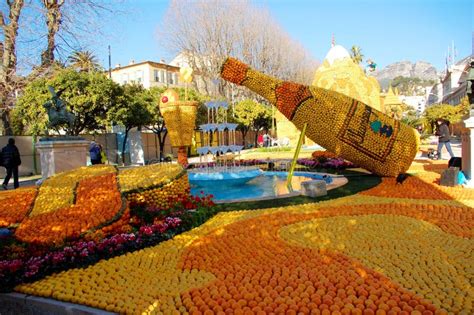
(342, 125)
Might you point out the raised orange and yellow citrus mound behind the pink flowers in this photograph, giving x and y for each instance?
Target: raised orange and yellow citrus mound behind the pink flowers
(82, 200)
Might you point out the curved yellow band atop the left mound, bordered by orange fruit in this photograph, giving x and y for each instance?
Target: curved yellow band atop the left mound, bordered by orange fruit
(57, 191)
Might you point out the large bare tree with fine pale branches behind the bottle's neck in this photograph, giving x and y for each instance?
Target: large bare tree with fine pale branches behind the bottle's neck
(206, 32)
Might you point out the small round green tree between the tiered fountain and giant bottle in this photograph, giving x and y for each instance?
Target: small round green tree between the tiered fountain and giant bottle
(251, 115)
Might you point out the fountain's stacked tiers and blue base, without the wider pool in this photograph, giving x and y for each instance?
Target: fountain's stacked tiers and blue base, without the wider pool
(220, 147)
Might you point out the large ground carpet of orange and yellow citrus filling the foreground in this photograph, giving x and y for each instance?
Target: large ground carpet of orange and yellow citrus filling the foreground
(392, 249)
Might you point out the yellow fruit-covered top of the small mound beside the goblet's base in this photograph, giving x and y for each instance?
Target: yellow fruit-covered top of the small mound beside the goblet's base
(144, 177)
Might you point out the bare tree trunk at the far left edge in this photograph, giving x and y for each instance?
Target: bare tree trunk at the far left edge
(9, 29)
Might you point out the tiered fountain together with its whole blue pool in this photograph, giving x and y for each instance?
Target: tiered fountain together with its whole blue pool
(229, 182)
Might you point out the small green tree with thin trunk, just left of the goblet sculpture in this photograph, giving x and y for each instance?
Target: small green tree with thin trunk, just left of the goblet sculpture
(132, 111)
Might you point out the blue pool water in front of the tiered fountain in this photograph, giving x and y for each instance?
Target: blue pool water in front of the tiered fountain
(269, 184)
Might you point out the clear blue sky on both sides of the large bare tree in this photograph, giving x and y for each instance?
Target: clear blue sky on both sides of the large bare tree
(387, 31)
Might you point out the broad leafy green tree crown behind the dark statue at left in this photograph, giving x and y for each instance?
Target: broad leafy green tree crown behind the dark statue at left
(87, 95)
